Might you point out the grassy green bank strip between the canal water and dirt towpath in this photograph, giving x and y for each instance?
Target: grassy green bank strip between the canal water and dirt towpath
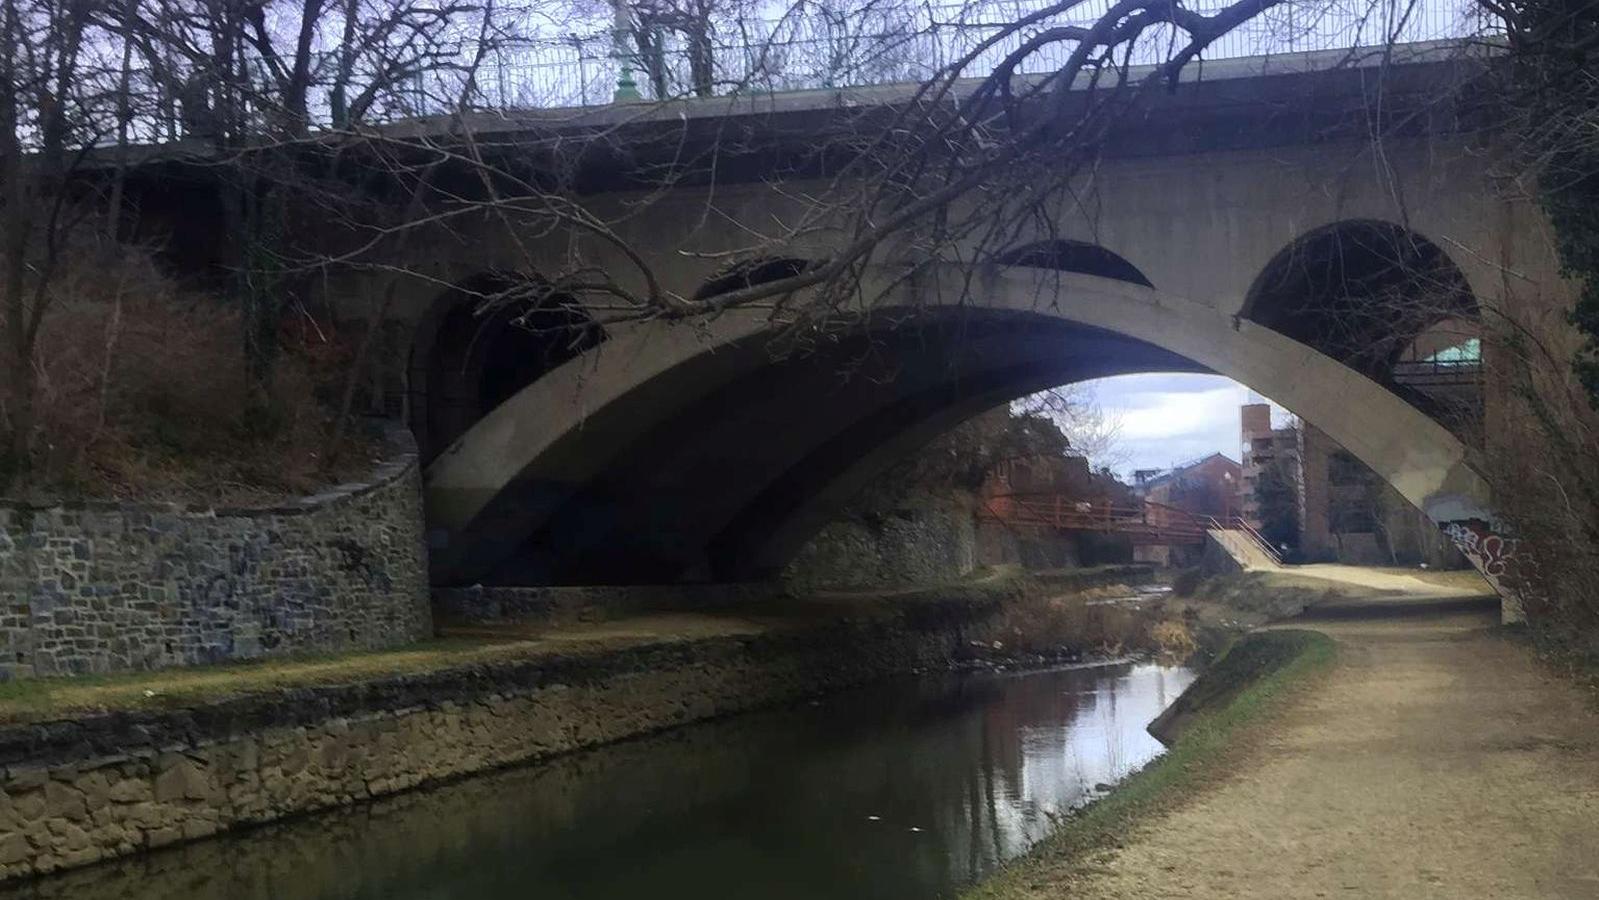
(1242, 687)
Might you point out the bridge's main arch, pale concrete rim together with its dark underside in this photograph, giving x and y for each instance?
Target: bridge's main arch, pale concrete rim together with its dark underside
(720, 460)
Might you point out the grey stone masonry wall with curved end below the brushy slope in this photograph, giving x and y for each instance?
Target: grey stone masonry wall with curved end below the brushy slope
(119, 587)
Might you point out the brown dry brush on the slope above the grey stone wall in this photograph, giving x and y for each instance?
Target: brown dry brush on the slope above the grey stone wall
(145, 394)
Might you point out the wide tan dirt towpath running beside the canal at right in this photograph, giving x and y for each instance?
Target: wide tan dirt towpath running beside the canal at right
(1437, 760)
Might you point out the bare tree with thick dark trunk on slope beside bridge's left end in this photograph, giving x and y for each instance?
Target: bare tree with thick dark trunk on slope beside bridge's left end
(257, 79)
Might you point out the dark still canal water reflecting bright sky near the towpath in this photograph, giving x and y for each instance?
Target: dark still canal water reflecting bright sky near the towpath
(904, 790)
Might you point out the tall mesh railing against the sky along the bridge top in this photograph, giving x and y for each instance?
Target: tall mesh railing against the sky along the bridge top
(813, 52)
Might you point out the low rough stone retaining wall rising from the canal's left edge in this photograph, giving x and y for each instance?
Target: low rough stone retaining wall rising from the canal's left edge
(86, 790)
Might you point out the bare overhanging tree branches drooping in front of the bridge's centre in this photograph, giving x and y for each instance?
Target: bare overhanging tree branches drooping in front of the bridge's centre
(976, 154)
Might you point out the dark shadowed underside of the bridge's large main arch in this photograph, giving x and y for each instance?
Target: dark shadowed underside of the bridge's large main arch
(728, 487)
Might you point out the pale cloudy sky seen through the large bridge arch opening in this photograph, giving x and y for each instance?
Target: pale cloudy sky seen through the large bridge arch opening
(1171, 420)
